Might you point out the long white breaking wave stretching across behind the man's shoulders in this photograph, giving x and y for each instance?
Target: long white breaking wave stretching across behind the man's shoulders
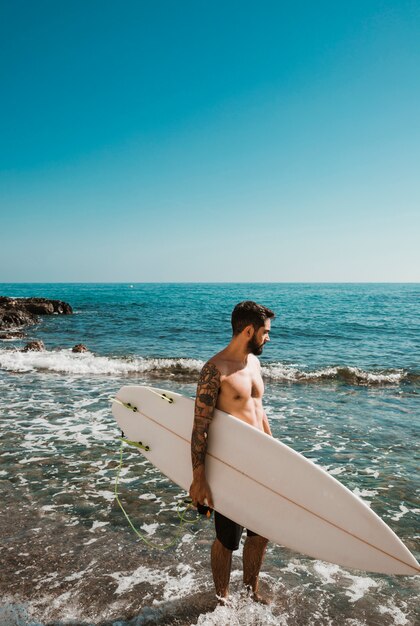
(187, 369)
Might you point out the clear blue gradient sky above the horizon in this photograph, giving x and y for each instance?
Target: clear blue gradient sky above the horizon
(209, 141)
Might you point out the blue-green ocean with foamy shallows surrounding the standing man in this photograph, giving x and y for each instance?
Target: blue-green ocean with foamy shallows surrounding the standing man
(342, 377)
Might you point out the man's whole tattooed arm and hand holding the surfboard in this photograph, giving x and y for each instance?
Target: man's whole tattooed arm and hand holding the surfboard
(205, 403)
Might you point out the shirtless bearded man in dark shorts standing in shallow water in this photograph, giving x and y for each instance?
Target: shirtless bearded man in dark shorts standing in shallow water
(231, 381)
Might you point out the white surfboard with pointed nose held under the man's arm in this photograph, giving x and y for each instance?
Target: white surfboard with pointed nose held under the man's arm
(262, 484)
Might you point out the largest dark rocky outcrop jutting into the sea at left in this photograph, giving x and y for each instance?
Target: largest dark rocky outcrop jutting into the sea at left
(19, 312)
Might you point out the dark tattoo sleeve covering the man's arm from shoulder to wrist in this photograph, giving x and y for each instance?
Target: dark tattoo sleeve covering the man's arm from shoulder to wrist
(205, 403)
